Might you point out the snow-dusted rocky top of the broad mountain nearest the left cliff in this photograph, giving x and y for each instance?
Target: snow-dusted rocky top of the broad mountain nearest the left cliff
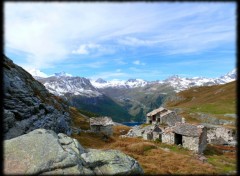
(62, 84)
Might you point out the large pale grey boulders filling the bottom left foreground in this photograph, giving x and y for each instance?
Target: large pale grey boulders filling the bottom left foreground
(44, 152)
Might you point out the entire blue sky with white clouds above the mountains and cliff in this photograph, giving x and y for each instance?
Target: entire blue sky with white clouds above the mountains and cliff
(145, 40)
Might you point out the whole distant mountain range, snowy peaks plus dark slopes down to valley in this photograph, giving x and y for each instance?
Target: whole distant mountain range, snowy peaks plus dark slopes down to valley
(124, 101)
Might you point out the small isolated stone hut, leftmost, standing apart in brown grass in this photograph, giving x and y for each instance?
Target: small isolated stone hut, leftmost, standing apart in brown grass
(102, 124)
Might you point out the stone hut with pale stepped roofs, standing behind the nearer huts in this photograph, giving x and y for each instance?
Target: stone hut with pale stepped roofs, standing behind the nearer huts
(163, 116)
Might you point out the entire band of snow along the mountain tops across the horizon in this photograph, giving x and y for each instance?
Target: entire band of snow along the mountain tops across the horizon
(62, 83)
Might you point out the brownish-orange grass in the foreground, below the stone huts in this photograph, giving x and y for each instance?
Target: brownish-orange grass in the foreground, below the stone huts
(155, 157)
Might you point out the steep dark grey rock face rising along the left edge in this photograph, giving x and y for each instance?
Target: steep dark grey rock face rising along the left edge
(28, 105)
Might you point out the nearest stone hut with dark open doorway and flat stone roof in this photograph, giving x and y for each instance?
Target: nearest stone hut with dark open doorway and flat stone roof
(193, 137)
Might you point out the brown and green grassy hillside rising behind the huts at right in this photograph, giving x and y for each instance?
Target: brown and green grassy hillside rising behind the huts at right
(201, 103)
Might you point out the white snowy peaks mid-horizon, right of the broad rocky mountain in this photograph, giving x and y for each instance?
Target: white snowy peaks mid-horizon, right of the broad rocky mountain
(131, 83)
